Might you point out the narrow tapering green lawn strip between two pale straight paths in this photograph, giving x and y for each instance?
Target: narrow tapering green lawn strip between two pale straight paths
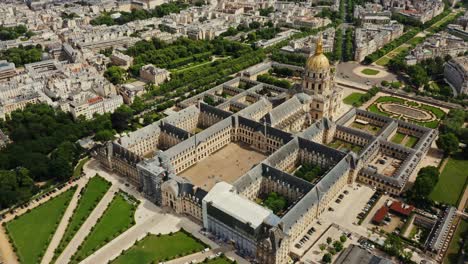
(90, 197)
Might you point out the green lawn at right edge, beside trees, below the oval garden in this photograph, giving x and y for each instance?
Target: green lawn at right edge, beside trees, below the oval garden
(452, 181)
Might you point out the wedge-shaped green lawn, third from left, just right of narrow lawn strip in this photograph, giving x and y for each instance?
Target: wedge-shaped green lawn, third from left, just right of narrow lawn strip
(117, 218)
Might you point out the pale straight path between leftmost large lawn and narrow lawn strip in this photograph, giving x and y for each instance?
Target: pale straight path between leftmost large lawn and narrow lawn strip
(49, 254)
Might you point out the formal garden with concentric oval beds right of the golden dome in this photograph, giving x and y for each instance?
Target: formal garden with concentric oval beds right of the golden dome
(411, 111)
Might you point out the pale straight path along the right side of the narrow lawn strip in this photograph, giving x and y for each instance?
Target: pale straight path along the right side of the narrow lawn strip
(86, 227)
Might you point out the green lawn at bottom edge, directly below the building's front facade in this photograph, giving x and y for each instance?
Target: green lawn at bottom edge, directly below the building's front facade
(154, 249)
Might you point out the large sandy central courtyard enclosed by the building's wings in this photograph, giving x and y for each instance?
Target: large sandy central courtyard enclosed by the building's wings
(227, 164)
